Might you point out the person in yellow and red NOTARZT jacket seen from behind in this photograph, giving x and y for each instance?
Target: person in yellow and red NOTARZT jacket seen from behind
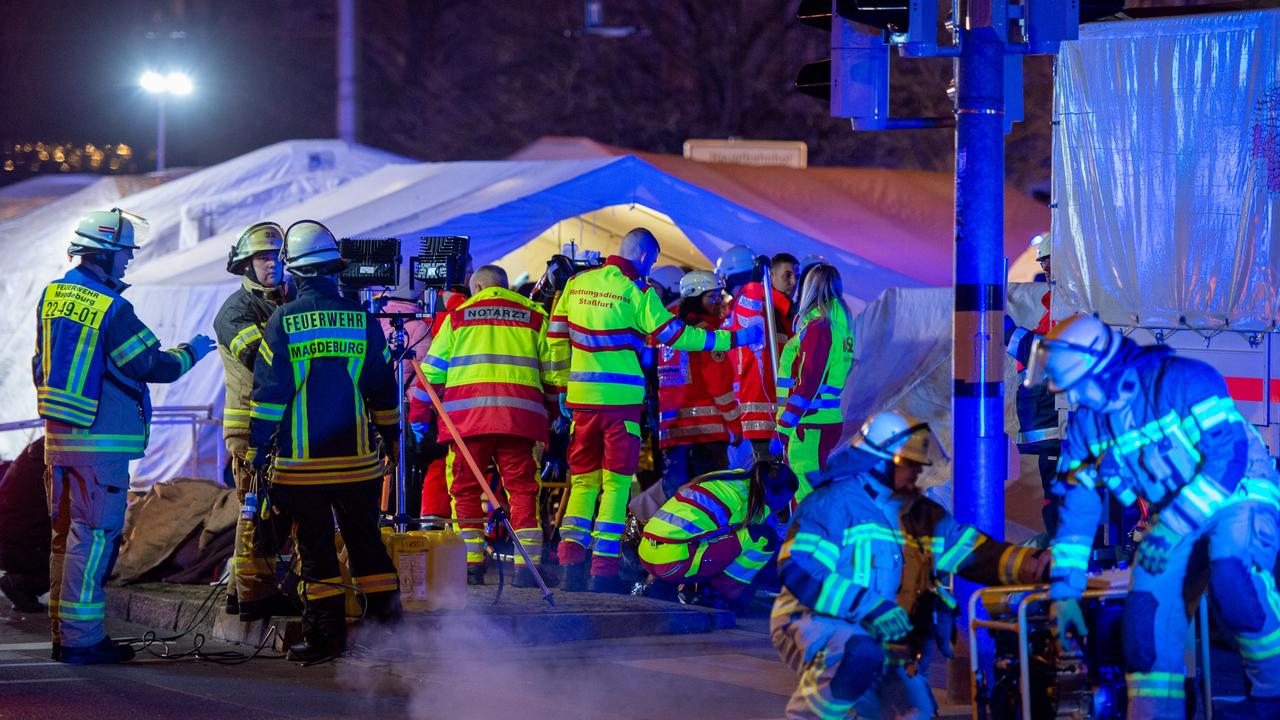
(491, 356)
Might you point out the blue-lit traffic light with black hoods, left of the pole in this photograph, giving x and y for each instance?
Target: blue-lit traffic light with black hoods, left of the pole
(856, 79)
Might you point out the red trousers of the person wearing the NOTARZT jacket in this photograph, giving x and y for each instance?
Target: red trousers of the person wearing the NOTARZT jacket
(514, 457)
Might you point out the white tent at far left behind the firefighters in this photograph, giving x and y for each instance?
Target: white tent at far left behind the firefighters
(182, 212)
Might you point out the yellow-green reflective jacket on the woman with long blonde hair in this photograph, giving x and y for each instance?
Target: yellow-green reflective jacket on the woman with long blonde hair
(816, 366)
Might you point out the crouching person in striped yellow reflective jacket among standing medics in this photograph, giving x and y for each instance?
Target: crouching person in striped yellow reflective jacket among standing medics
(719, 530)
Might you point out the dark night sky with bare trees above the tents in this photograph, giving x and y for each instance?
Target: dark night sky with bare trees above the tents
(449, 80)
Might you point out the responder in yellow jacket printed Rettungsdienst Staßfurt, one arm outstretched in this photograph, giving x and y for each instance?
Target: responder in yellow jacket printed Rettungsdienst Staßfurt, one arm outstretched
(605, 316)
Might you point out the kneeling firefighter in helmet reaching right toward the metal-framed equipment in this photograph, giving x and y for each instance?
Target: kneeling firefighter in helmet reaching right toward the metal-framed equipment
(862, 578)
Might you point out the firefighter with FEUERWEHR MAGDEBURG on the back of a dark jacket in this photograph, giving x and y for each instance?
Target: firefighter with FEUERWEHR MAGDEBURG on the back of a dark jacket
(323, 376)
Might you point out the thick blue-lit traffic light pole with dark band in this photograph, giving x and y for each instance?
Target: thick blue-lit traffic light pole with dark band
(977, 405)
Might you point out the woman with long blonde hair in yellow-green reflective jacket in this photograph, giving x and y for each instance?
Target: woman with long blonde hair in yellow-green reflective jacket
(813, 371)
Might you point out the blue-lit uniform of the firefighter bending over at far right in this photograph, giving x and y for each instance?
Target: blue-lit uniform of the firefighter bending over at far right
(1180, 444)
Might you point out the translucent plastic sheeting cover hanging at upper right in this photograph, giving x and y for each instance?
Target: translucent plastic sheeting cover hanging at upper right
(1167, 172)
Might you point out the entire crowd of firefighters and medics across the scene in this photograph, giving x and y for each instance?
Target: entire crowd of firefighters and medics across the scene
(621, 370)
